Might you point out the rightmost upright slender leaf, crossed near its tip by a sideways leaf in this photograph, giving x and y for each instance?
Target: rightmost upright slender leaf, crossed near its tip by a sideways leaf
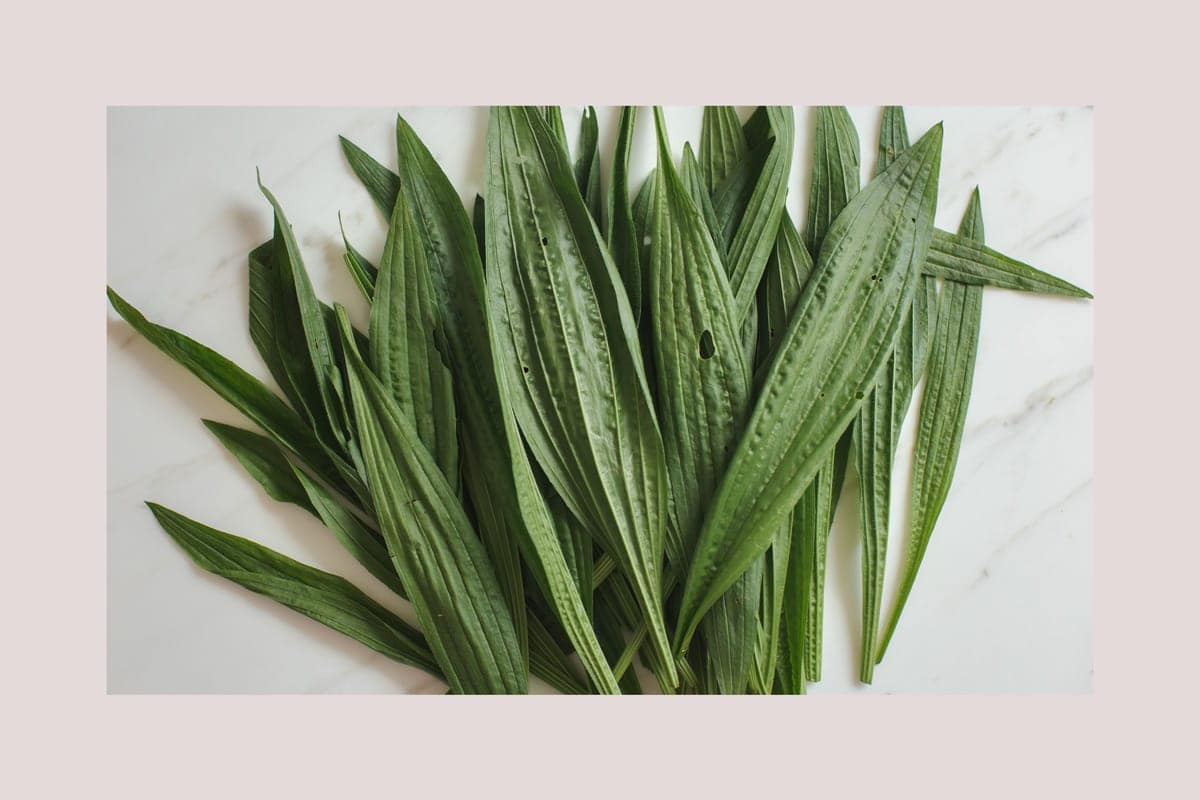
(944, 411)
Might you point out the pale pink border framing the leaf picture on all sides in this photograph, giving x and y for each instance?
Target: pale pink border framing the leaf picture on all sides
(1133, 737)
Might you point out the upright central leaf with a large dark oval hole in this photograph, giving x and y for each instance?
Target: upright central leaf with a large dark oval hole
(704, 386)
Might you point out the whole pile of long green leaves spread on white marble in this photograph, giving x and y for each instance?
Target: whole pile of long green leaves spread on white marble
(586, 430)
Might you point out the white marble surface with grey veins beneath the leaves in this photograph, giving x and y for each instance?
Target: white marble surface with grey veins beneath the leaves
(1005, 599)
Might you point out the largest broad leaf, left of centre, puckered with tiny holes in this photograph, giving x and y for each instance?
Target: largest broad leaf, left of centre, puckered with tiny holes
(571, 353)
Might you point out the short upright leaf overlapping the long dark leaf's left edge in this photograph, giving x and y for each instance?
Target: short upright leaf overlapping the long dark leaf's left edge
(405, 354)
